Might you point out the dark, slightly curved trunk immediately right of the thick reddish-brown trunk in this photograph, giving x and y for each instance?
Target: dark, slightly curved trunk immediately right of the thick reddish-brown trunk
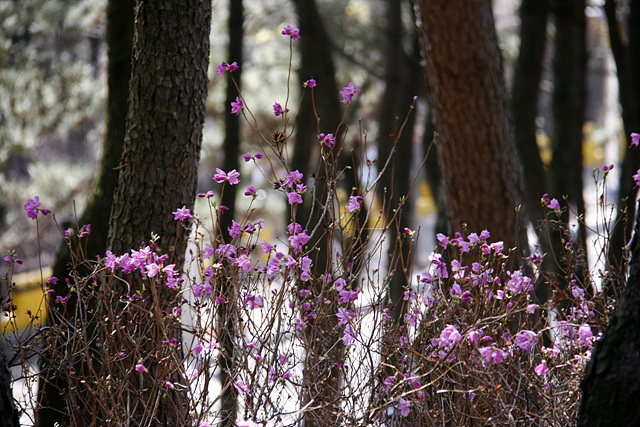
(524, 101)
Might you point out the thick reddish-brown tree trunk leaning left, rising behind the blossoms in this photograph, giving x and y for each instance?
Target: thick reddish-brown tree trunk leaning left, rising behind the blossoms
(482, 175)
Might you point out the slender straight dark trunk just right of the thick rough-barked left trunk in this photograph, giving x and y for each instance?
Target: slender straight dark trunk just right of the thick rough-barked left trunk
(231, 147)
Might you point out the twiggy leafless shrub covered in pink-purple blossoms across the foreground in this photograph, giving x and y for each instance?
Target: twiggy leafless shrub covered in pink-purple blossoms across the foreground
(471, 345)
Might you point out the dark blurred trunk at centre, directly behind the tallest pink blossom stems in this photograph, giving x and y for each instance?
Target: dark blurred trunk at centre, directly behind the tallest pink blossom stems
(321, 376)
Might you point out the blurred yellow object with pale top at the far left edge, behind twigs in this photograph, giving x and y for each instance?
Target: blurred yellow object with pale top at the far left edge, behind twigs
(28, 298)
